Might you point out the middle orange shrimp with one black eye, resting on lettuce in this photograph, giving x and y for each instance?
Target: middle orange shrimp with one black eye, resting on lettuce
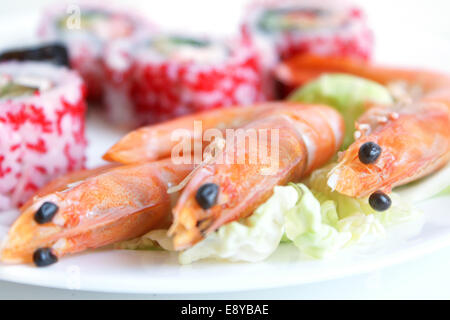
(309, 135)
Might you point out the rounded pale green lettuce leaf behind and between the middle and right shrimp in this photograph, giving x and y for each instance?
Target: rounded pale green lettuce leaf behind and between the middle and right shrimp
(346, 93)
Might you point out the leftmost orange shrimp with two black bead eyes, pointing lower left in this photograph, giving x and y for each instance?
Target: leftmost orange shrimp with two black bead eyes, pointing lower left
(111, 204)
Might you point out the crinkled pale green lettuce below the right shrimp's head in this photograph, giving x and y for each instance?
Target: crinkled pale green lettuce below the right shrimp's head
(323, 221)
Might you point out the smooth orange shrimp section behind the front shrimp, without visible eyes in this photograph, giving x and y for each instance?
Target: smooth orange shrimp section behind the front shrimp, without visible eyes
(154, 142)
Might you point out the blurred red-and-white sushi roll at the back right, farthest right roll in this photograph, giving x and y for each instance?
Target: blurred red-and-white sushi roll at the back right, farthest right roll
(284, 28)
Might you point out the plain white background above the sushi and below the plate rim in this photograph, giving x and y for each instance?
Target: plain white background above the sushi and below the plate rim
(426, 277)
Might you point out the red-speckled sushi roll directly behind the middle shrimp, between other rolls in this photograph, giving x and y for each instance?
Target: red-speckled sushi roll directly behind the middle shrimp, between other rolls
(163, 76)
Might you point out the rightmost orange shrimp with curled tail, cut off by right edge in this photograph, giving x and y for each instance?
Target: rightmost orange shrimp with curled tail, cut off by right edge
(413, 135)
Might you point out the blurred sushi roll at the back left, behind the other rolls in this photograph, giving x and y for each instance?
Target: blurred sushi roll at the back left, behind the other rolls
(85, 29)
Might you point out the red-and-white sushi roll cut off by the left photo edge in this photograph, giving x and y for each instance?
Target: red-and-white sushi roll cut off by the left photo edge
(42, 110)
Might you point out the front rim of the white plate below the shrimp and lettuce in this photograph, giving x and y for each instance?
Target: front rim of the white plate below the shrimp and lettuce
(158, 272)
